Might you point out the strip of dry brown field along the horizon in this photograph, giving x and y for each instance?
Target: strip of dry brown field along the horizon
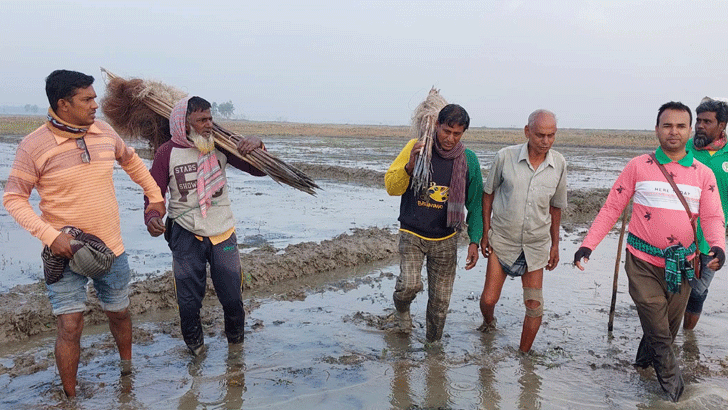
(21, 125)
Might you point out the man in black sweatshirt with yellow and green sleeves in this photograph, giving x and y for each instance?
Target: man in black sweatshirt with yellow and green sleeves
(429, 220)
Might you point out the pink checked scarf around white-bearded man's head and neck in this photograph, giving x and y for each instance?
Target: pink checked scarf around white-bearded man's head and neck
(209, 174)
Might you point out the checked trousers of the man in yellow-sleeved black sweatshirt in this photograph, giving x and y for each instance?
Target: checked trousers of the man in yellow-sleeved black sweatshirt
(441, 263)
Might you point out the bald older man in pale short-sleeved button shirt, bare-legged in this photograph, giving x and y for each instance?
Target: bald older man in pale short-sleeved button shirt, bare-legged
(524, 194)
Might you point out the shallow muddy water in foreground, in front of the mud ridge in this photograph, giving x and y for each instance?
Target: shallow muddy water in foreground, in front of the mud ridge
(336, 349)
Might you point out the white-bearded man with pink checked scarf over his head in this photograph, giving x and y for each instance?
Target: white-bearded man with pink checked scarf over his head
(200, 226)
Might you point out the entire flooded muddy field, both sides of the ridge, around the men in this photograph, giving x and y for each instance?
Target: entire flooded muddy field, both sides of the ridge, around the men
(319, 276)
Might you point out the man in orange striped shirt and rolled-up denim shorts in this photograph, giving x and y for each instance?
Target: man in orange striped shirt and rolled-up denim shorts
(69, 160)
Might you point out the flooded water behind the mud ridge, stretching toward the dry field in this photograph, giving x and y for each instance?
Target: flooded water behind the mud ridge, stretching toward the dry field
(275, 215)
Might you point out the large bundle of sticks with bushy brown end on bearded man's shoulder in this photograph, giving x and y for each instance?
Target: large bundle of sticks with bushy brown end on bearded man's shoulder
(122, 107)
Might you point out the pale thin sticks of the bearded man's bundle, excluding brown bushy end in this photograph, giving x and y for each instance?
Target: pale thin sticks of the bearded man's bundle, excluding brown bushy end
(162, 104)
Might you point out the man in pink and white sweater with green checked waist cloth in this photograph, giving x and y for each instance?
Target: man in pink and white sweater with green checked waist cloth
(661, 239)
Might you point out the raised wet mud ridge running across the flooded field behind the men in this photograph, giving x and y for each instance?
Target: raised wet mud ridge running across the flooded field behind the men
(25, 310)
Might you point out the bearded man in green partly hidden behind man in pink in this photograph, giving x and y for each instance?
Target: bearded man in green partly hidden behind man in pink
(709, 147)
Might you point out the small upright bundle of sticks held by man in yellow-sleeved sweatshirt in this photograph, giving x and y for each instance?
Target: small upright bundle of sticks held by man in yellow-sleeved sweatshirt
(423, 127)
